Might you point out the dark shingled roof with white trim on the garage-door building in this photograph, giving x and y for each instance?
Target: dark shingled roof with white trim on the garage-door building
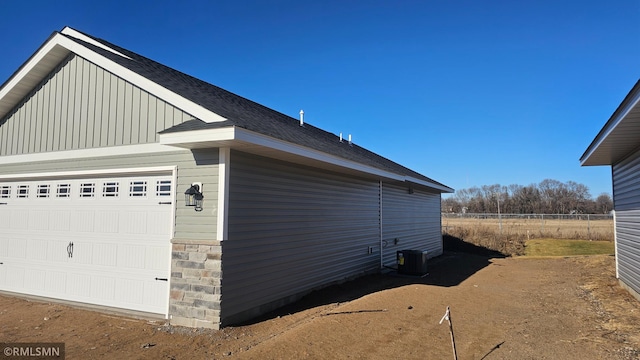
(221, 118)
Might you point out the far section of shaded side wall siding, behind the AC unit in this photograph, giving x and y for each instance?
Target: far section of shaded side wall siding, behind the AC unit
(413, 219)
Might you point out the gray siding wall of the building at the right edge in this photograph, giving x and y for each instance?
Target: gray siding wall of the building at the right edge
(626, 197)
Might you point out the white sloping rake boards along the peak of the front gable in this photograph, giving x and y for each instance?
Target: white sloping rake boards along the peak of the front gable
(58, 47)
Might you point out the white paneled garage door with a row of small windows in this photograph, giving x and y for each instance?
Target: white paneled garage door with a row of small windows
(103, 241)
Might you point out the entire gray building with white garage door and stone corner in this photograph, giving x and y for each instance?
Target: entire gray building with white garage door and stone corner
(129, 185)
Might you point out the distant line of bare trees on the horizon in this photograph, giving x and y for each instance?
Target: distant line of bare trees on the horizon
(547, 197)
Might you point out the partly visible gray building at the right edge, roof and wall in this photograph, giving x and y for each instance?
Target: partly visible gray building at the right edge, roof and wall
(618, 145)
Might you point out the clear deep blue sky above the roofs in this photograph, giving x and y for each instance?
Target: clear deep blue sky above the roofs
(469, 93)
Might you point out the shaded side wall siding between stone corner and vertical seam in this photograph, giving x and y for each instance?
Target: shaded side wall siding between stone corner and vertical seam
(293, 229)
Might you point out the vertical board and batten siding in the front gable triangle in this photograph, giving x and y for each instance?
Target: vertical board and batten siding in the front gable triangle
(81, 106)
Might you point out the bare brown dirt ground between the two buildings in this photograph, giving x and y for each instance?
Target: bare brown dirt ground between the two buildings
(501, 308)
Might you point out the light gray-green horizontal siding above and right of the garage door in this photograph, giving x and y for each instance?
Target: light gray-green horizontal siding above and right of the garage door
(190, 225)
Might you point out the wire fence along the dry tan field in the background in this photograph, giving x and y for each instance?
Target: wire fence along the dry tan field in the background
(560, 226)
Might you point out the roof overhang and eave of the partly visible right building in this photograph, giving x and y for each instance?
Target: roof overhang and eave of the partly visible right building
(619, 136)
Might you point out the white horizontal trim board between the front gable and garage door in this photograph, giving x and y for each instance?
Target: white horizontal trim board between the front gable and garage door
(88, 153)
